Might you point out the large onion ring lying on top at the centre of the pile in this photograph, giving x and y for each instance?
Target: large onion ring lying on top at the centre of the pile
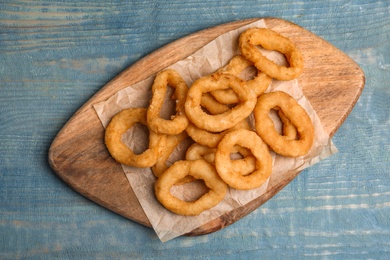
(223, 121)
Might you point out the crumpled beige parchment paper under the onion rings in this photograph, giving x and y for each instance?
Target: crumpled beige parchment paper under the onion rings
(211, 57)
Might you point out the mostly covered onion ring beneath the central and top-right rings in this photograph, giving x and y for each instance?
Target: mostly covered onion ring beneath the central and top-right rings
(236, 66)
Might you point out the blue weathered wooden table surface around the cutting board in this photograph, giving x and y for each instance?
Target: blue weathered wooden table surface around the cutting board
(54, 55)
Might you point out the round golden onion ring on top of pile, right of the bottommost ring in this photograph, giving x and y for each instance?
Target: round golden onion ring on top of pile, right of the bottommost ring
(260, 151)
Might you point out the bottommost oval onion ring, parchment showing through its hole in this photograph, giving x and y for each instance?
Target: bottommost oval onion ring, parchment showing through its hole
(199, 169)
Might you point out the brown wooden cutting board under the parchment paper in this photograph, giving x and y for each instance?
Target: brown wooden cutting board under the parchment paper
(331, 81)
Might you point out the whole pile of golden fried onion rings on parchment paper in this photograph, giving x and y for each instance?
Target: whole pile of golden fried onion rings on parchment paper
(213, 114)
